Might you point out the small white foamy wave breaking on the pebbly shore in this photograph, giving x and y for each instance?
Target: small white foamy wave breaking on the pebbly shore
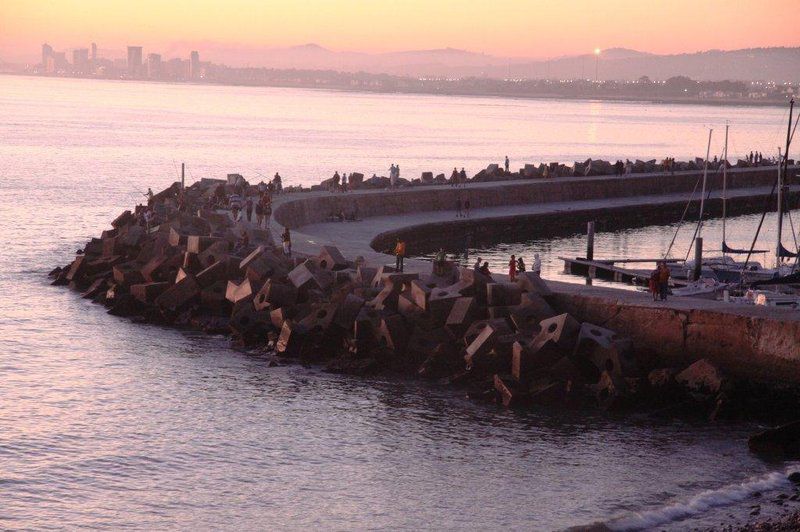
(702, 502)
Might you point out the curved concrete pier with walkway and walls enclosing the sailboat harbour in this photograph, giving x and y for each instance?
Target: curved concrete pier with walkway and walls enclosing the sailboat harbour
(752, 342)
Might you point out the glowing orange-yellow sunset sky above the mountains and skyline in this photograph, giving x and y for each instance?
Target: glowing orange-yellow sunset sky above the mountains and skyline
(517, 28)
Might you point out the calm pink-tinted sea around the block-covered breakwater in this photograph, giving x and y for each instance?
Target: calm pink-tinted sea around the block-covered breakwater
(104, 423)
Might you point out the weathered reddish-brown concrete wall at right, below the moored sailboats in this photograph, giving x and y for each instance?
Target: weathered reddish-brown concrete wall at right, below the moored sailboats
(747, 341)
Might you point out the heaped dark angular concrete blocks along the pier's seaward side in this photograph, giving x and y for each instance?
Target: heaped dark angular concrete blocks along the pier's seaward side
(522, 341)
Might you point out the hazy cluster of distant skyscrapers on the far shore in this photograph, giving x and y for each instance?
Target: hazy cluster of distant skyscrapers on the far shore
(86, 62)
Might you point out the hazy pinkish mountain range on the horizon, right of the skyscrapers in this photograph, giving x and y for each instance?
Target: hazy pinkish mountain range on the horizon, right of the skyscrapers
(768, 64)
